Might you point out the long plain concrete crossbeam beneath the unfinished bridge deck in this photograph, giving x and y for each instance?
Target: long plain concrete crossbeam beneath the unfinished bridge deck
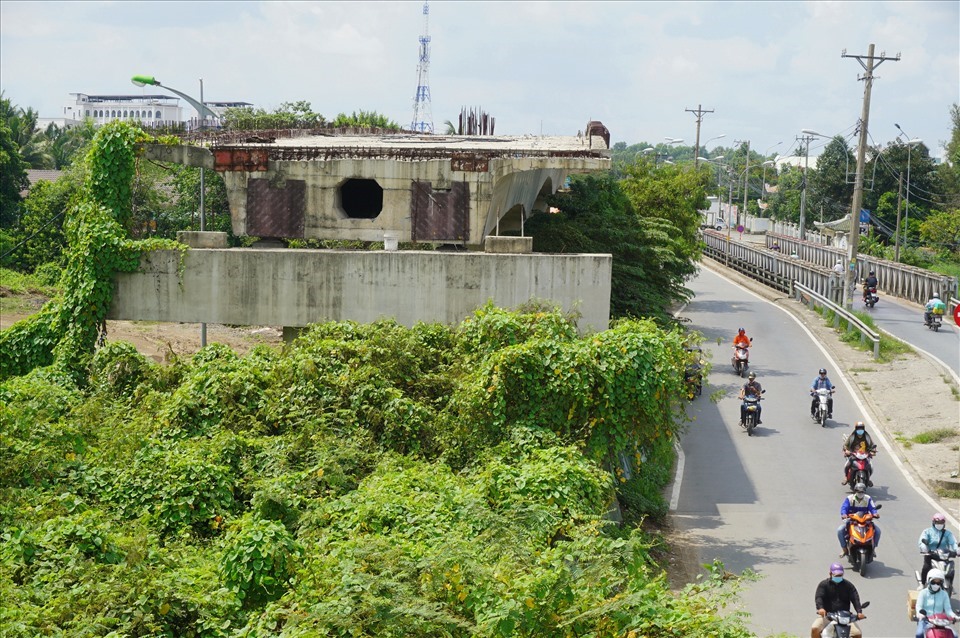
(294, 288)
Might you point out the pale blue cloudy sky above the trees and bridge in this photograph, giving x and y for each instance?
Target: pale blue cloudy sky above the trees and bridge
(765, 69)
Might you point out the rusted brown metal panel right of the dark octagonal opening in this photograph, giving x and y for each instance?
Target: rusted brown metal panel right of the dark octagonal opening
(440, 215)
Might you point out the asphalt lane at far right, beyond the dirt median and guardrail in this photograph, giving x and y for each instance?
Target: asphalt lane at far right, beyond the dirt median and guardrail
(905, 321)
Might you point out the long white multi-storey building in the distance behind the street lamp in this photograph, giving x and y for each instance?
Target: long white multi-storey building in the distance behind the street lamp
(150, 110)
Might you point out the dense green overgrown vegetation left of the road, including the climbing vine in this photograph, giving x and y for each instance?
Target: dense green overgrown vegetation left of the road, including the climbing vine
(365, 480)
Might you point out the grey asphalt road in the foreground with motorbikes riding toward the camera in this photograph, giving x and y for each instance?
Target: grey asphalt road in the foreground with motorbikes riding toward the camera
(770, 503)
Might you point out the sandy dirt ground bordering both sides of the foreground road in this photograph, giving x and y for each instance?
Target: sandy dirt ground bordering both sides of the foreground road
(905, 398)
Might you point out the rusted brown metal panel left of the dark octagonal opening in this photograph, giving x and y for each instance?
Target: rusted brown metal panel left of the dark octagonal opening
(276, 212)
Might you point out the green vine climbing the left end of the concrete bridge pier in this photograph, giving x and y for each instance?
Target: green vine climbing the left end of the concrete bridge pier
(64, 333)
